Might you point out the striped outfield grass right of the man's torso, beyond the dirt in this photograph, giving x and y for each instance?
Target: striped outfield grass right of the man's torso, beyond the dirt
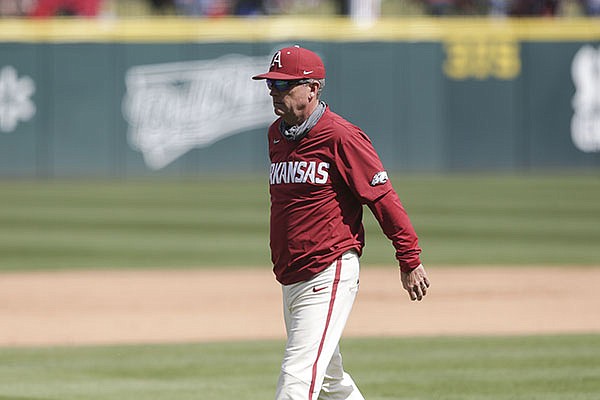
(500, 219)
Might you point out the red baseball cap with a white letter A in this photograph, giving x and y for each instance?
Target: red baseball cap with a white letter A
(292, 63)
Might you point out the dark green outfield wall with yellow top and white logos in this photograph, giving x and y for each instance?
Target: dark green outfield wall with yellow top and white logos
(173, 97)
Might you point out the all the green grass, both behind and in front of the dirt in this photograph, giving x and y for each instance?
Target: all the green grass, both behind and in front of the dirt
(476, 220)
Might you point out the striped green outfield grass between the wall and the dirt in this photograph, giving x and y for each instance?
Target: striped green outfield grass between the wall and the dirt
(223, 222)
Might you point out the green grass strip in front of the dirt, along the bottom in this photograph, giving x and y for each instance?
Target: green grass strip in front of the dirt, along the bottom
(501, 368)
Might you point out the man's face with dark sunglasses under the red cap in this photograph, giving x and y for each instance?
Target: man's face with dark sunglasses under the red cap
(290, 99)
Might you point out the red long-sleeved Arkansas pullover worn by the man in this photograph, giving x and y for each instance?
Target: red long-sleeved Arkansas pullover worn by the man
(318, 186)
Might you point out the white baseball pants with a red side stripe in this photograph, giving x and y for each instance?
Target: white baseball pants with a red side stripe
(315, 314)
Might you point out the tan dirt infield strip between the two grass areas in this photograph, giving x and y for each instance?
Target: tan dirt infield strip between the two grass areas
(109, 307)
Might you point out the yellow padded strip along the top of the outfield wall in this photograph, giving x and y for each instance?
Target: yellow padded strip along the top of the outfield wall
(284, 28)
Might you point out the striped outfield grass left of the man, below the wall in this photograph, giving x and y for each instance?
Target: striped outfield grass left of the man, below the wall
(133, 224)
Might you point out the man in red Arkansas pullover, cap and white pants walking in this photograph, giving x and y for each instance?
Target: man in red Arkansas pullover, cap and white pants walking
(323, 169)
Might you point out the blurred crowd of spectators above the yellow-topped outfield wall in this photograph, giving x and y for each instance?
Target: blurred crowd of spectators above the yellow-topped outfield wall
(216, 8)
